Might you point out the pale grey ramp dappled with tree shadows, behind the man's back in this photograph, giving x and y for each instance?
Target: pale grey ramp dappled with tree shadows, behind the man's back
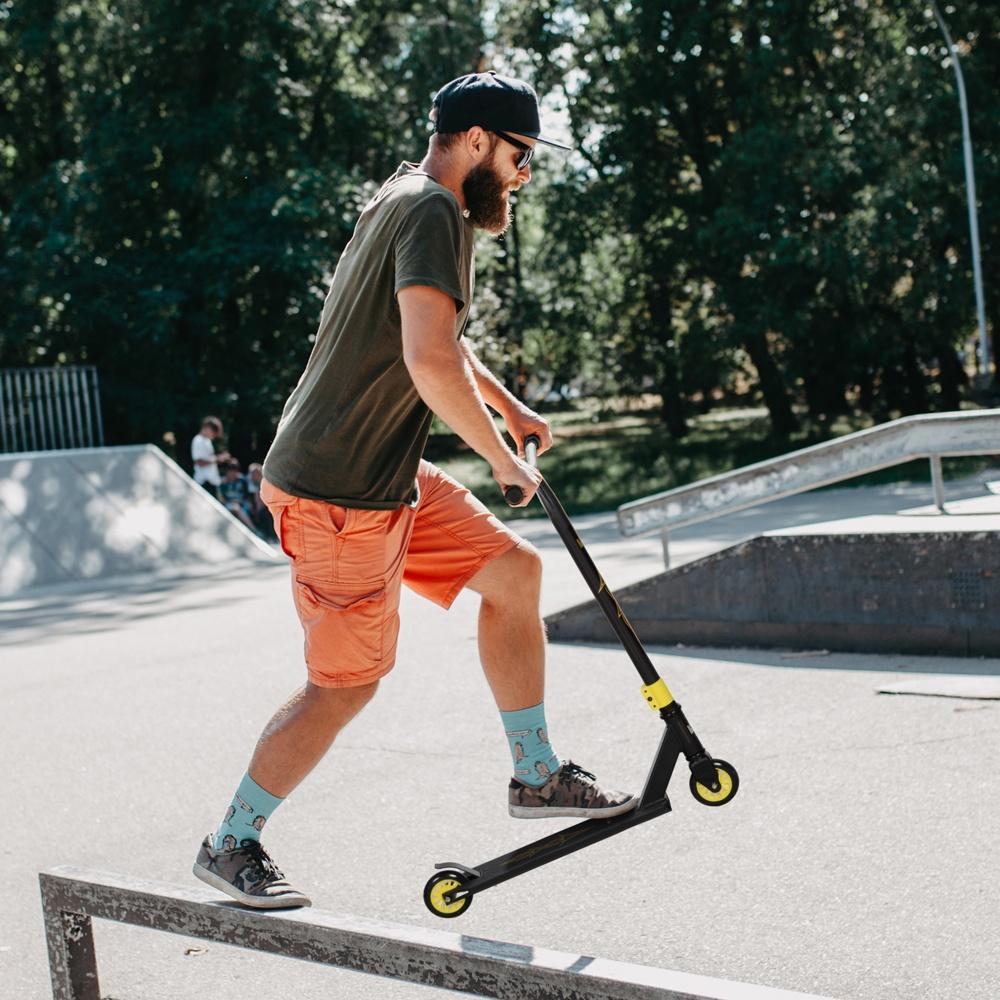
(93, 513)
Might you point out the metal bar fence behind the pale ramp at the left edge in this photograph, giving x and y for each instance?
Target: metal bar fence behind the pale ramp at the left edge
(44, 409)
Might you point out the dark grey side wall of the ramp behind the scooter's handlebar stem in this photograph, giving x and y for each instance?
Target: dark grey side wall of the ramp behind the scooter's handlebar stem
(920, 592)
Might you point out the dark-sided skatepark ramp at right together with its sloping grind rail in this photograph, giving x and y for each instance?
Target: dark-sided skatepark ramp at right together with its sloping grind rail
(924, 580)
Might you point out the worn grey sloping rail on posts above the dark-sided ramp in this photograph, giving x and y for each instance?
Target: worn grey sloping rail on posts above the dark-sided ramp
(932, 436)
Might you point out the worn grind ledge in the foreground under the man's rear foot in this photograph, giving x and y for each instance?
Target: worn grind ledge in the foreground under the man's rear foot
(72, 896)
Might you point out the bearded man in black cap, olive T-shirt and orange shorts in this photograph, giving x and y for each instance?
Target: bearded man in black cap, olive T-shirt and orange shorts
(358, 512)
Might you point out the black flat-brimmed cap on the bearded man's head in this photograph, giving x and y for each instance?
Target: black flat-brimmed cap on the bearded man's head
(493, 102)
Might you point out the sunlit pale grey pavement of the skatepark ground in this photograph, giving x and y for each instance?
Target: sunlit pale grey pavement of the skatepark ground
(857, 861)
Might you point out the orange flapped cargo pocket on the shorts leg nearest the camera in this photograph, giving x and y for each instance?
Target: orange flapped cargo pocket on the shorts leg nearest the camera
(344, 634)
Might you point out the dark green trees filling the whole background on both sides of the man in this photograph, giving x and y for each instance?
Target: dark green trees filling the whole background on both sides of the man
(766, 203)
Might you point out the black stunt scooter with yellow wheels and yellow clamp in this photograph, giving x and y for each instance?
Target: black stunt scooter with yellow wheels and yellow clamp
(713, 782)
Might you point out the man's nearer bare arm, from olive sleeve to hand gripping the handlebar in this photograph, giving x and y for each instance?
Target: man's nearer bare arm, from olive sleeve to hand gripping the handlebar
(443, 376)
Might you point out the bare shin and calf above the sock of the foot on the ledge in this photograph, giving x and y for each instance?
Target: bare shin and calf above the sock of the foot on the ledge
(300, 733)
